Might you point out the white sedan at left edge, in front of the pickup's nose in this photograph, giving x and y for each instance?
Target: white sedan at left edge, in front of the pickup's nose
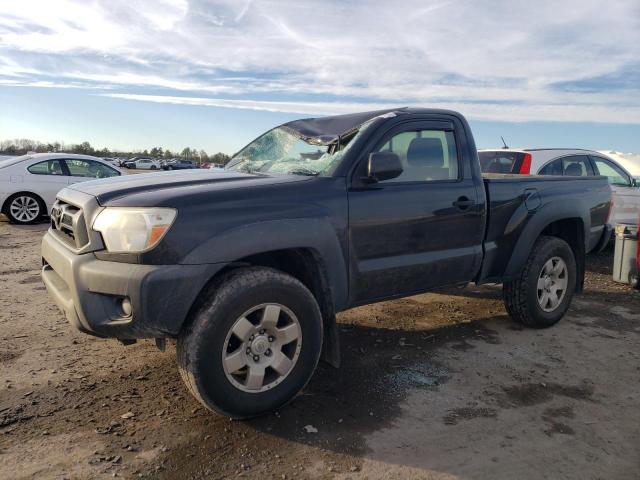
(29, 184)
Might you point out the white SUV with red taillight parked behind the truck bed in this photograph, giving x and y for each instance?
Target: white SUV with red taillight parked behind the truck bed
(625, 195)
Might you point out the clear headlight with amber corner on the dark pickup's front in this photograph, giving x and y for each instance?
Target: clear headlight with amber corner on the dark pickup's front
(133, 230)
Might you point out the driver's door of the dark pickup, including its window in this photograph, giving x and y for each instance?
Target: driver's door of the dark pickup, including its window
(421, 229)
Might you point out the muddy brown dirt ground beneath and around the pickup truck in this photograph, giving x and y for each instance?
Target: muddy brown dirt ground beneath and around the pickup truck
(438, 386)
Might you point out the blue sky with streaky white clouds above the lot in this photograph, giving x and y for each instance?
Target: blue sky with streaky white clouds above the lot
(214, 74)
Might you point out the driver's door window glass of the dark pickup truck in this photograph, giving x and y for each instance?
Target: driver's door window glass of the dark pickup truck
(426, 155)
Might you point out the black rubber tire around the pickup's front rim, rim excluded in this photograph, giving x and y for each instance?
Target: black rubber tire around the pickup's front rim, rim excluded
(202, 342)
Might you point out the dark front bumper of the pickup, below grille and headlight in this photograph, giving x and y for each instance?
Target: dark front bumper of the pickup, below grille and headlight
(90, 292)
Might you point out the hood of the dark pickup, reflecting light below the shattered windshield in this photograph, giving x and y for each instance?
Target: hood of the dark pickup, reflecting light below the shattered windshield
(106, 190)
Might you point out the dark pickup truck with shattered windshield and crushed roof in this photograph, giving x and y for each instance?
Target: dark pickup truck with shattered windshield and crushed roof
(247, 268)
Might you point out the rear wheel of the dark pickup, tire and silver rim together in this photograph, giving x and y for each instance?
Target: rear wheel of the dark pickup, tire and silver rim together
(541, 294)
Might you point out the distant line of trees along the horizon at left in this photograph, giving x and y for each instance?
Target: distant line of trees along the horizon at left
(22, 146)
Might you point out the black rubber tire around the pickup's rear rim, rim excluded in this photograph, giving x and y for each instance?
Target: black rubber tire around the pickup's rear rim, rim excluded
(521, 294)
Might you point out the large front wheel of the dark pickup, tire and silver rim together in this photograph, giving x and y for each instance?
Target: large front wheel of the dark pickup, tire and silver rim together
(252, 343)
